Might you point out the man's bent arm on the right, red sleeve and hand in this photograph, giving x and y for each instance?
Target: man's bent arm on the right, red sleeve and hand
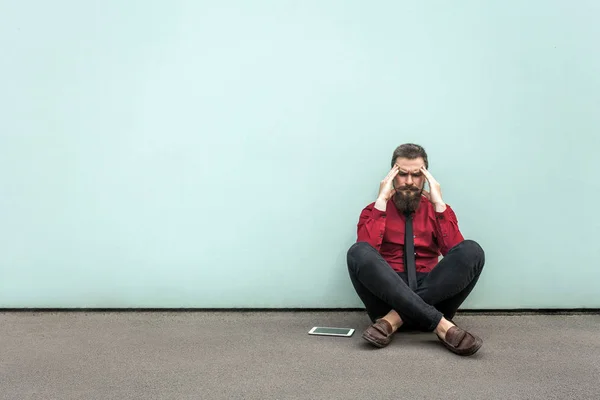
(446, 223)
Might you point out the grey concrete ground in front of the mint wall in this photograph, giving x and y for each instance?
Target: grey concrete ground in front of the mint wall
(250, 355)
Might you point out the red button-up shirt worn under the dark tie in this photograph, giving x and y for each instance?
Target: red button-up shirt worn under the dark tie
(435, 233)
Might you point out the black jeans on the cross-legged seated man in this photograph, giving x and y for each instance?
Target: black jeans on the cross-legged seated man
(439, 293)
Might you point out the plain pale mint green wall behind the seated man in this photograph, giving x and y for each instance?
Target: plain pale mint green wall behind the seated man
(218, 154)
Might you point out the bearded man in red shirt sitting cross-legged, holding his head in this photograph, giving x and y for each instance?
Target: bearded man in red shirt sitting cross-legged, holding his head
(380, 269)
